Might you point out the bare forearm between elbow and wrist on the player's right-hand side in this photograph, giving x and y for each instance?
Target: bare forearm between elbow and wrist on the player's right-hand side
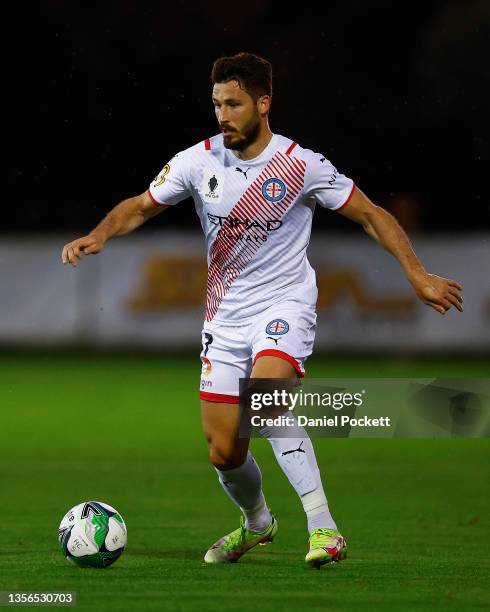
(385, 229)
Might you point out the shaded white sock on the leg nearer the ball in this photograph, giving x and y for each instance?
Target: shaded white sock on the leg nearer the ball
(244, 487)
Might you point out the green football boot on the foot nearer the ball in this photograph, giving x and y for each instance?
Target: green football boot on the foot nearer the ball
(231, 547)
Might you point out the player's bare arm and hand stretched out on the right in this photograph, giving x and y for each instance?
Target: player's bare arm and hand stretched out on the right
(435, 291)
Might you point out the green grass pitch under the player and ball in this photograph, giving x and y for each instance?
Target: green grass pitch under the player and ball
(126, 430)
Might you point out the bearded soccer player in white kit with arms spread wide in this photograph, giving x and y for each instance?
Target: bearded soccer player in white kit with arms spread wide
(255, 194)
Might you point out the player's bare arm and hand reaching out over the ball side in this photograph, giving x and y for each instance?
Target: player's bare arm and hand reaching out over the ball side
(122, 219)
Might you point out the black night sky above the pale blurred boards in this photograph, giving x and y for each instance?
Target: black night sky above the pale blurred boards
(101, 95)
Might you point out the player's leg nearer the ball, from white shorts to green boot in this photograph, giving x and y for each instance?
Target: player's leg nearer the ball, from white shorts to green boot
(224, 362)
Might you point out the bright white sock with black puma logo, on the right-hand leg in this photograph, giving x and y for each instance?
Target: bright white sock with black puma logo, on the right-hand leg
(296, 457)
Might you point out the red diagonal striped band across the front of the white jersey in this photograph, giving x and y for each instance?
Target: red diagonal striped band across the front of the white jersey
(231, 252)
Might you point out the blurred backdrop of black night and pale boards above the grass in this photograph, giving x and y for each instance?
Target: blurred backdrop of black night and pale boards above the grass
(104, 97)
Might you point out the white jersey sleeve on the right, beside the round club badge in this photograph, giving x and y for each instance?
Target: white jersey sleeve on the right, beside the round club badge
(324, 183)
